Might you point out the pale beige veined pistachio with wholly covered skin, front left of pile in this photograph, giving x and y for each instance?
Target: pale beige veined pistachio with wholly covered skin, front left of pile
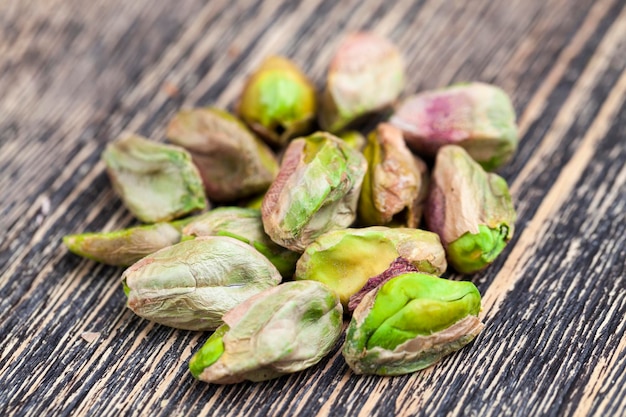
(192, 284)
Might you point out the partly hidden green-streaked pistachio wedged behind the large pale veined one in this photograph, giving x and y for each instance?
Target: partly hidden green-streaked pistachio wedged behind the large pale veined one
(244, 224)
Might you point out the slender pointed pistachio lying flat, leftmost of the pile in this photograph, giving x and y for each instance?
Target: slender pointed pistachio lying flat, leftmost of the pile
(123, 247)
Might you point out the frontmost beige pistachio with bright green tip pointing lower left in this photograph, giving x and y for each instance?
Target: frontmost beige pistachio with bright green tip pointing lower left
(282, 330)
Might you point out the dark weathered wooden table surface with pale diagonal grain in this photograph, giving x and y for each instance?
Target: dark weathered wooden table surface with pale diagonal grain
(74, 74)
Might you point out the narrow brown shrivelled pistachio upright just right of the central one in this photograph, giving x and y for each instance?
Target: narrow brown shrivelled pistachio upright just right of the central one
(395, 185)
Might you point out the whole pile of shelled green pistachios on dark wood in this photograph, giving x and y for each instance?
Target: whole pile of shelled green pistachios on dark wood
(273, 253)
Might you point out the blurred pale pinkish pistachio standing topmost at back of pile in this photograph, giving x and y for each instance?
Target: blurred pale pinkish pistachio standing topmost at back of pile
(365, 75)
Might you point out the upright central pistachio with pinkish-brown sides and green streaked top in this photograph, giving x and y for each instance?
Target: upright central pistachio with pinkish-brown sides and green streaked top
(317, 190)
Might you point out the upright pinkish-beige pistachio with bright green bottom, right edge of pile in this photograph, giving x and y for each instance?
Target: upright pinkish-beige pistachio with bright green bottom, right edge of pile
(470, 209)
